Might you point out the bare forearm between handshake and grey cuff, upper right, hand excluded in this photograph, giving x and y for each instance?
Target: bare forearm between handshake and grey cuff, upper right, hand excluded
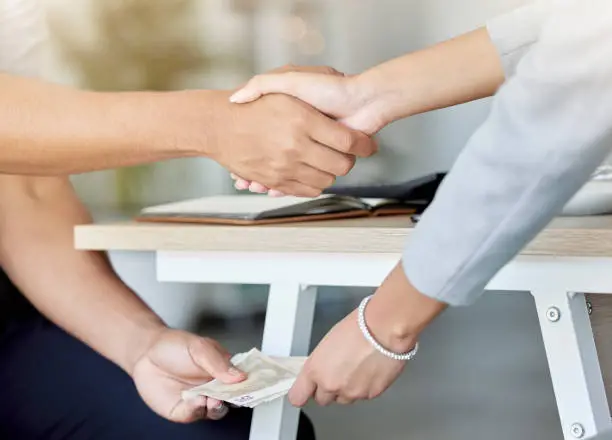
(460, 70)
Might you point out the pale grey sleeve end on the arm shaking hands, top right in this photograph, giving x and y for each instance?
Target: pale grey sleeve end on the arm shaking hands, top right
(514, 33)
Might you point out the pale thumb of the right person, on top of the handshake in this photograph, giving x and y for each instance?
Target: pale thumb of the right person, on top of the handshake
(296, 84)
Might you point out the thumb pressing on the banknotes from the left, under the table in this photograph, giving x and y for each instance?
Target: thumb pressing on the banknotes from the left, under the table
(215, 360)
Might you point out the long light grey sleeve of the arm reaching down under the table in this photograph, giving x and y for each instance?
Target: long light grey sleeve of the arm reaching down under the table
(548, 130)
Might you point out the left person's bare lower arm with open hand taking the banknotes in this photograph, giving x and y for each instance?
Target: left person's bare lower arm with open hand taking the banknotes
(80, 292)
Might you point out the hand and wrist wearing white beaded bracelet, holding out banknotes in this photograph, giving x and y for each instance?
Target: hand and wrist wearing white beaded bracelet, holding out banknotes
(345, 367)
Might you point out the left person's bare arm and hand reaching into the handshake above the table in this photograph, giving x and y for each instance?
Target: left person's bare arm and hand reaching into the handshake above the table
(48, 129)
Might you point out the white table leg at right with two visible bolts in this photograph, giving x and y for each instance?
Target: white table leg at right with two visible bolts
(574, 366)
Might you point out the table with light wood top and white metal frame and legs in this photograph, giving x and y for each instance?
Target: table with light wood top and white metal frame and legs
(571, 258)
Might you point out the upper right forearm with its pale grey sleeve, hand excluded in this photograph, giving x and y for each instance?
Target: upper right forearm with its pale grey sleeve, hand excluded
(463, 69)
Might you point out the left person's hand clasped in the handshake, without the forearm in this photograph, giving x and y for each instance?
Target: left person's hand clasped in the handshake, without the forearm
(289, 145)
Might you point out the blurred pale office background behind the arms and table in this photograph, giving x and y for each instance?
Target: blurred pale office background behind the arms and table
(174, 44)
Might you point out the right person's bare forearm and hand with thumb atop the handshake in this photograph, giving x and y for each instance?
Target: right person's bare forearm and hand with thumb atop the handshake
(463, 69)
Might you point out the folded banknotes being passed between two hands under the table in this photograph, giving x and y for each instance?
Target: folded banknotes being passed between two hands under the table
(268, 379)
